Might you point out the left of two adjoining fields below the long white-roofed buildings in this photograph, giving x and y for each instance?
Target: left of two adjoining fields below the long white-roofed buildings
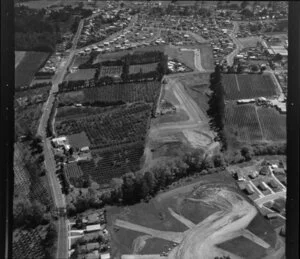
(242, 120)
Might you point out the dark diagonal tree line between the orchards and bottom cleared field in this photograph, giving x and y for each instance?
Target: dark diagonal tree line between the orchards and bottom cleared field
(132, 187)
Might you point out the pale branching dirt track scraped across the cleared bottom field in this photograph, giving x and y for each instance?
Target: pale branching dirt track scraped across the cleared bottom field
(200, 240)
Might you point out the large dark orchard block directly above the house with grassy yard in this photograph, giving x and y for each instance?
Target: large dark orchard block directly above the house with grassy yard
(104, 130)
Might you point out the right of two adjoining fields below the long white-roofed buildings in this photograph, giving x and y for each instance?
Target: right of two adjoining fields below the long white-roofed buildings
(269, 117)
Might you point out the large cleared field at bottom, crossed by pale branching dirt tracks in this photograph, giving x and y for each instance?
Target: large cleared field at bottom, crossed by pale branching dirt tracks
(216, 219)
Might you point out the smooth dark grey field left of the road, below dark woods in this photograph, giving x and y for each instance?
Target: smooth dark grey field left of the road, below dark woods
(29, 65)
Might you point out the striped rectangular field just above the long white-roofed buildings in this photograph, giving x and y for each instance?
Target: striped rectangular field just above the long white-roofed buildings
(247, 86)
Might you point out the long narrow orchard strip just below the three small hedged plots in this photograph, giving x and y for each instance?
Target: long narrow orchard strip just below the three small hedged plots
(132, 92)
